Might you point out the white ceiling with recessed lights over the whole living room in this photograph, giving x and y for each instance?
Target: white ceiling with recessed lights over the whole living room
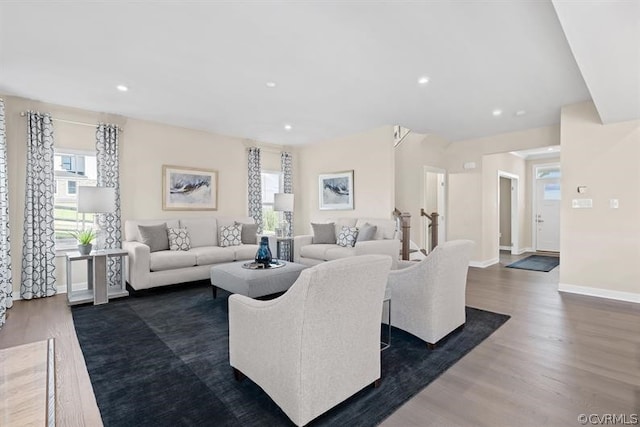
(340, 67)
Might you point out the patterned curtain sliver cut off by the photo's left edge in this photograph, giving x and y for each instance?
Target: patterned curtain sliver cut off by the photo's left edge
(6, 285)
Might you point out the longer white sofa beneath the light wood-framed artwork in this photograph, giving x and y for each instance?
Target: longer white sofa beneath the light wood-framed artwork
(151, 269)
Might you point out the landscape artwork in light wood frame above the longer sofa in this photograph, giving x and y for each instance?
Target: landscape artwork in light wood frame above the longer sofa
(186, 188)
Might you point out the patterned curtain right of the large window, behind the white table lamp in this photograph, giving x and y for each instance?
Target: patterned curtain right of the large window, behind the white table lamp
(108, 165)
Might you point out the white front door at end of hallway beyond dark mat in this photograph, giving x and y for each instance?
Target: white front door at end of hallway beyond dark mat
(548, 215)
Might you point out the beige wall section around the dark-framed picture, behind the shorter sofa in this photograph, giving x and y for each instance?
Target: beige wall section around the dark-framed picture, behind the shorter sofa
(369, 154)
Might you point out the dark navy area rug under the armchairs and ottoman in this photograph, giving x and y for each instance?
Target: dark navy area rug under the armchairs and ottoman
(162, 359)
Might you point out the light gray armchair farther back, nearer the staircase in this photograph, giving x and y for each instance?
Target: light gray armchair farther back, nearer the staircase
(428, 297)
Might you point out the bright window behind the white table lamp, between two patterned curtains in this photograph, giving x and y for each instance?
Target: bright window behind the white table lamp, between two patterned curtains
(71, 169)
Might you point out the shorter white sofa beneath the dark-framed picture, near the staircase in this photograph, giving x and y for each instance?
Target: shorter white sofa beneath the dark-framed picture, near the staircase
(385, 242)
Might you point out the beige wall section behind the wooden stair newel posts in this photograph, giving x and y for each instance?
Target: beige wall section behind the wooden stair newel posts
(414, 153)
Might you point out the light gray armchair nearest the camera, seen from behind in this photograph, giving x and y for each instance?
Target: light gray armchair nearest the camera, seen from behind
(318, 343)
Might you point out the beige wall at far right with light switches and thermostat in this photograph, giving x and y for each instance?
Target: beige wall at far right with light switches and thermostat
(600, 246)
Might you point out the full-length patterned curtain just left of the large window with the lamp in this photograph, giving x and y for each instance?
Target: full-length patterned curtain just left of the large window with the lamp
(39, 248)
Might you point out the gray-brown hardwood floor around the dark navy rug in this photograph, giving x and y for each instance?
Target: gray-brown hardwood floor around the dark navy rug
(559, 356)
